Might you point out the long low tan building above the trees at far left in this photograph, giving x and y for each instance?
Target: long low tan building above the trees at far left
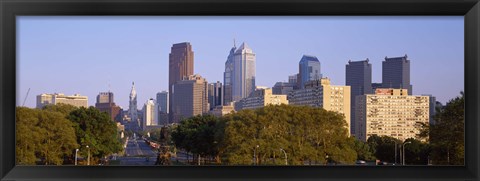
(75, 100)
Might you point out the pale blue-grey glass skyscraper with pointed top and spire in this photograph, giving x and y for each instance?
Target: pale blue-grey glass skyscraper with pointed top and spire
(239, 75)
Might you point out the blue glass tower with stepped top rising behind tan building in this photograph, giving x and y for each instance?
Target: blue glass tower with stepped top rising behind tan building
(308, 69)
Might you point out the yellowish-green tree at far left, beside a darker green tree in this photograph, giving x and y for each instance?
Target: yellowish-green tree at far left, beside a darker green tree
(43, 134)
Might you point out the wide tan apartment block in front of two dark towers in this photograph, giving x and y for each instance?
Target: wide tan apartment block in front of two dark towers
(390, 112)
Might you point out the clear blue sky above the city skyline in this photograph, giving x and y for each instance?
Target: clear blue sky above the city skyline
(87, 54)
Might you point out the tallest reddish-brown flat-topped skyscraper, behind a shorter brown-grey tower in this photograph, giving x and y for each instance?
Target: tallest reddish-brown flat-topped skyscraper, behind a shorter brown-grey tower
(180, 65)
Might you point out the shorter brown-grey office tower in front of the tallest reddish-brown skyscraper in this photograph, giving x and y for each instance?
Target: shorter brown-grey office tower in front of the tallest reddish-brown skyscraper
(190, 95)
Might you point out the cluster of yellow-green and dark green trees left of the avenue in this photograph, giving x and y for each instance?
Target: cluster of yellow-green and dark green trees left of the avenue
(51, 135)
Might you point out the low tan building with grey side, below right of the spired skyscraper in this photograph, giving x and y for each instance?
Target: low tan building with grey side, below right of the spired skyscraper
(260, 98)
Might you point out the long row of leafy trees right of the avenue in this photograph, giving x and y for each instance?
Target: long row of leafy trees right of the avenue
(314, 136)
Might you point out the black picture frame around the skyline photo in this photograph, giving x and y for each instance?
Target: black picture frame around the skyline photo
(9, 9)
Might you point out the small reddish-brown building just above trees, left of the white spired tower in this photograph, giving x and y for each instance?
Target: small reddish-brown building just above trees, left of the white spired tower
(106, 104)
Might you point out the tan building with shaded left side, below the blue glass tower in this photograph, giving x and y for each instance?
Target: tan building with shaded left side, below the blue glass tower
(320, 93)
